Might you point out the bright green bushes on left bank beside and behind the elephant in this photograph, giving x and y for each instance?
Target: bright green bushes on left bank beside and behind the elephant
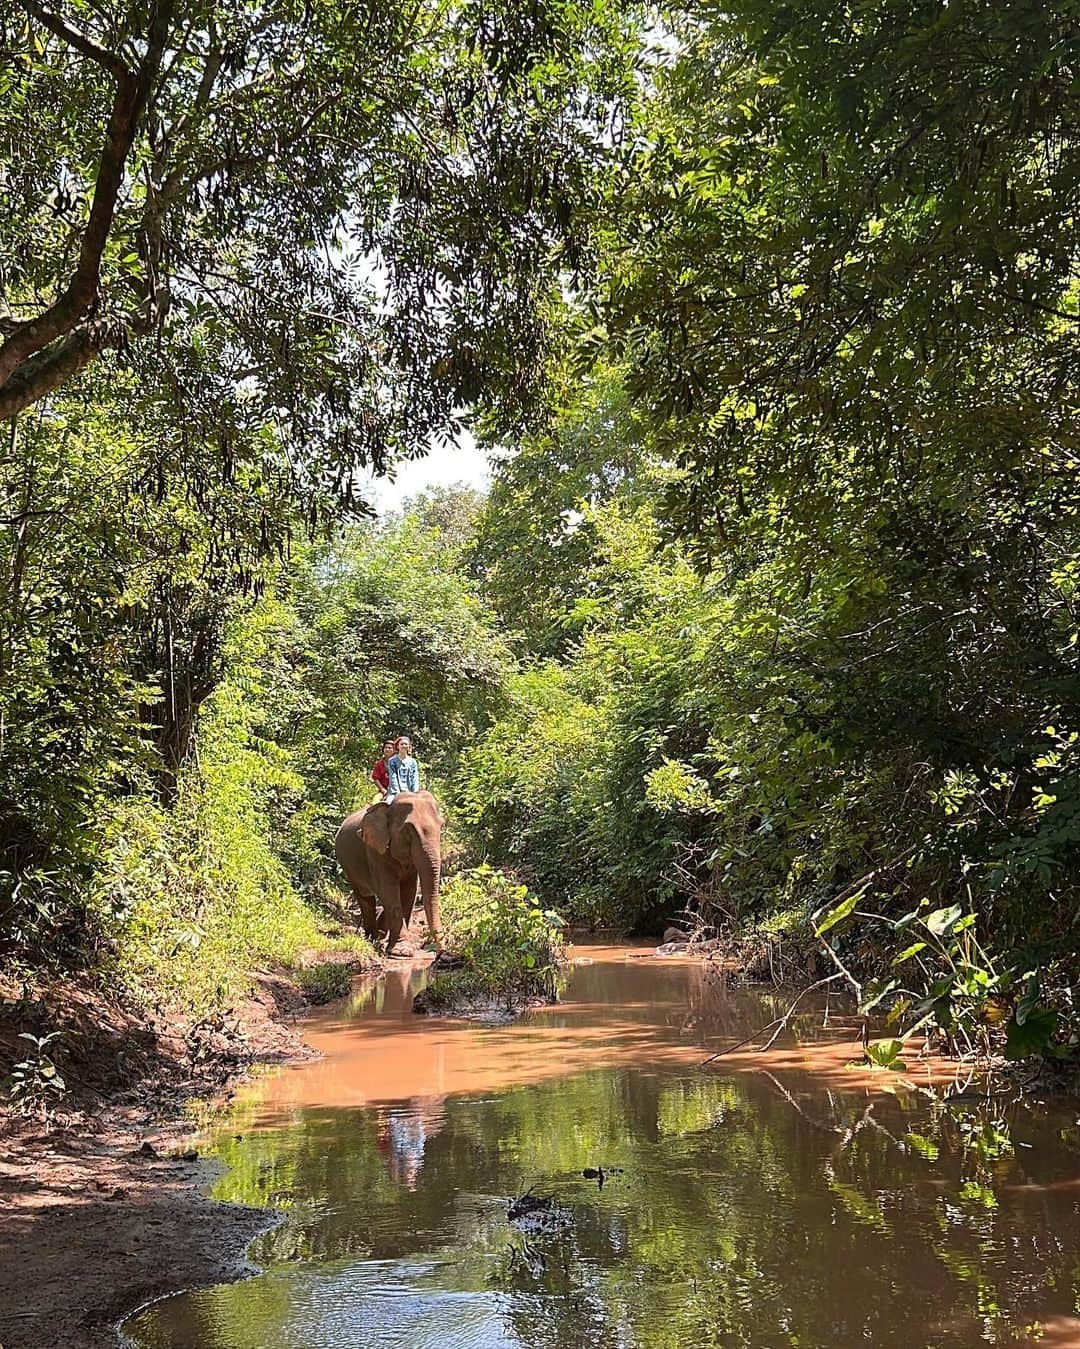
(369, 636)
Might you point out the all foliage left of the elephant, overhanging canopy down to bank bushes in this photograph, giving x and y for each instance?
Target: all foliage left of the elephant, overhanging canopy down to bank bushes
(245, 253)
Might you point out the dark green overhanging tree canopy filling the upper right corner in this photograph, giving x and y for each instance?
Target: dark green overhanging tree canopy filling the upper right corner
(847, 249)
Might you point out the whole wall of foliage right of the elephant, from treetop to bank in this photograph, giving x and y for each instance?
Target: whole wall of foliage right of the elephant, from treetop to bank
(841, 281)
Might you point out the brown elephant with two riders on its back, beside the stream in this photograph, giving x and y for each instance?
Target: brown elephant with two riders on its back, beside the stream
(384, 851)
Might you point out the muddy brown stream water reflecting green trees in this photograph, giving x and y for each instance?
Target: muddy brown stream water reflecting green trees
(772, 1201)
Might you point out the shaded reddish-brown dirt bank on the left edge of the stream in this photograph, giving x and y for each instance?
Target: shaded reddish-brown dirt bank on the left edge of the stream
(99, 1209)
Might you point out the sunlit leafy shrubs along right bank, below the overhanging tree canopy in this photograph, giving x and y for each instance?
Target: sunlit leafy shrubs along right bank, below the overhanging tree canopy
(785, 740)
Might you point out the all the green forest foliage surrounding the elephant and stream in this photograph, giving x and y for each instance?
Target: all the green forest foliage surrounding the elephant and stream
(775, 613)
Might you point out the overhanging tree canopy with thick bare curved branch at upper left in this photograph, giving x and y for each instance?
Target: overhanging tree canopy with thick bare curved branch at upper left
(335, 221)
